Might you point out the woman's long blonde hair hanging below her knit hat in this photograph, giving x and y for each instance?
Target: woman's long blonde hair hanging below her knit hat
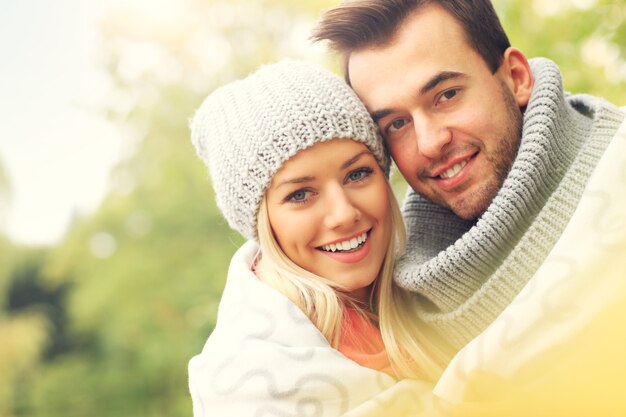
(414, 351)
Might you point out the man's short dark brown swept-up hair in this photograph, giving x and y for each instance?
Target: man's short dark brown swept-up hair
(358, 24)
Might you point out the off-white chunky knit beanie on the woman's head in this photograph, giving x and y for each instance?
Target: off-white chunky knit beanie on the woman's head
(246, 130)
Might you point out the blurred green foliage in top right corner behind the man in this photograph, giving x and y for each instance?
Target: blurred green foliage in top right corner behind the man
(586, 38)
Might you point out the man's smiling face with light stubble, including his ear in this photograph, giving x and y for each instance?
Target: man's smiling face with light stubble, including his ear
(451, 125)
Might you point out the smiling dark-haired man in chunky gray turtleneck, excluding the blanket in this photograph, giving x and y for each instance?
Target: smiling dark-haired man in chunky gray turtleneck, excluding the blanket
(496, 155)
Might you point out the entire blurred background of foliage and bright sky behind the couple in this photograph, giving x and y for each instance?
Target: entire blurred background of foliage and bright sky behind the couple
(100, 317)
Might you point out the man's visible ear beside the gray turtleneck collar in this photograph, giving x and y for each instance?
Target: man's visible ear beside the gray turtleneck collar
(516, 73)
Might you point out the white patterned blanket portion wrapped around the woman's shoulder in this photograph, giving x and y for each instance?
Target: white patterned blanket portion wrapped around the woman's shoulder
(265, 358)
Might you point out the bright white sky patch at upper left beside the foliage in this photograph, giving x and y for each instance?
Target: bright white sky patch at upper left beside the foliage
(54, 144)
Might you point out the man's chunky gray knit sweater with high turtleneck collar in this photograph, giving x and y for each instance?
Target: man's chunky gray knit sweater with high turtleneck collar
(465, 273)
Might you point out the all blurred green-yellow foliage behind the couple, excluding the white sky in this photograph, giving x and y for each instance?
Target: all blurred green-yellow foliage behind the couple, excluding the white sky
(105, 322)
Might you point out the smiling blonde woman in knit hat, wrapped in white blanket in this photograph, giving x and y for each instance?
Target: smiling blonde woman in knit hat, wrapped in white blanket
(309, 322)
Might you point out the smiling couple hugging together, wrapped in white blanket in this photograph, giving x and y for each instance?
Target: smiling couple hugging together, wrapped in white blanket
(514, 224)
